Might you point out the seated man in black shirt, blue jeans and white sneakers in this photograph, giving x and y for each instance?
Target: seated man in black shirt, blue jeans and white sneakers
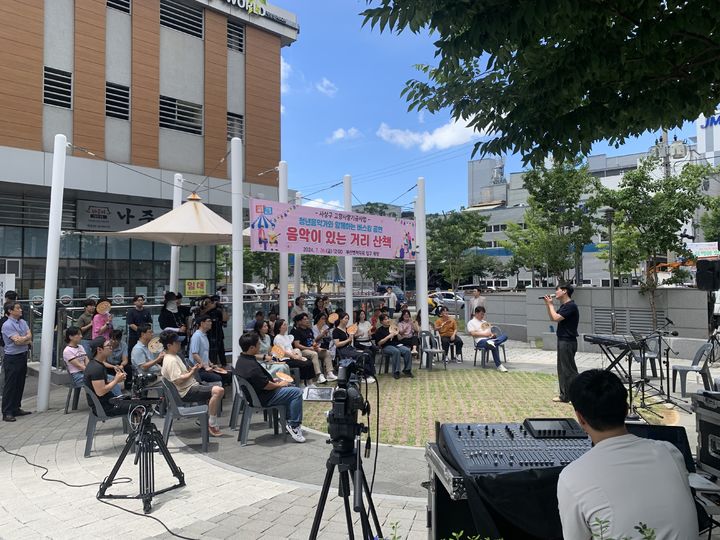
(270, 391)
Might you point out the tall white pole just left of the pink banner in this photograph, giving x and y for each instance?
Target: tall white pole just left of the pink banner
(236, 177)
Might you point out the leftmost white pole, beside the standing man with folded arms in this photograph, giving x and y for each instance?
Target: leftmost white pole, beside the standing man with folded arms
(51, 271)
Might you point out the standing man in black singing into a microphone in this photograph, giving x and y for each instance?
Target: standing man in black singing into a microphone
(567, 316)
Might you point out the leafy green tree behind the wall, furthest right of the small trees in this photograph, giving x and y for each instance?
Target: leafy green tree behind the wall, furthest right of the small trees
(649, 213)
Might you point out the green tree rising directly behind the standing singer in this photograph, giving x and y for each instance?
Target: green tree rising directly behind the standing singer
(558, 222)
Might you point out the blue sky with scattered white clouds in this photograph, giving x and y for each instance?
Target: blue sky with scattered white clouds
(342, 113)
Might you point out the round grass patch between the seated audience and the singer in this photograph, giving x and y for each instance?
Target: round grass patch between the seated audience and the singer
(410, 407)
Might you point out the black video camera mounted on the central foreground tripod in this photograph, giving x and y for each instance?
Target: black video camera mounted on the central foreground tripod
(347, 401)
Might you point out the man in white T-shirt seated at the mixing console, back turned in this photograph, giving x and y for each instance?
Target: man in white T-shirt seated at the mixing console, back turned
(623, 480)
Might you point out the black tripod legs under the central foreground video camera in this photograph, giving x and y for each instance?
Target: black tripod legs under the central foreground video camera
(348, 460)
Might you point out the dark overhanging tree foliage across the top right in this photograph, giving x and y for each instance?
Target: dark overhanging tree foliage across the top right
(552, 77)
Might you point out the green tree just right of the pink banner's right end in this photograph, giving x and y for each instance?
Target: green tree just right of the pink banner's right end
(449, 238)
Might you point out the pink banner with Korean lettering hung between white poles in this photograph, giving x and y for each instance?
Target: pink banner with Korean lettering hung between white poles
(289, 228)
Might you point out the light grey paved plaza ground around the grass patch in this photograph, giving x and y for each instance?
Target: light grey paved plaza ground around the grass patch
(267, 489)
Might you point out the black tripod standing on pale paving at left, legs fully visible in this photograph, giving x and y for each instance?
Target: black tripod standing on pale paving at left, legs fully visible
(147, 440)
